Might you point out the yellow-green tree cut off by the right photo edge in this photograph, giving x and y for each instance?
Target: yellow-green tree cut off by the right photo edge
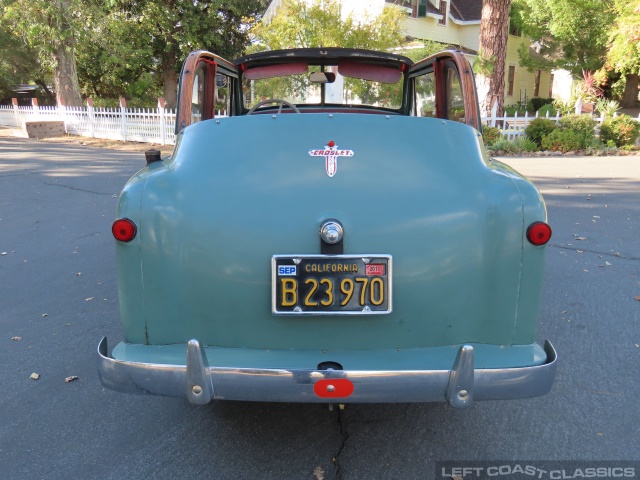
(623, 55)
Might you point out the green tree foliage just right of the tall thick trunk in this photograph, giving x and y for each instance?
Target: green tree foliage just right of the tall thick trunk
(571, 34)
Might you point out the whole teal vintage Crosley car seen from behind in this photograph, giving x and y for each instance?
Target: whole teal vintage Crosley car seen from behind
(329, 251)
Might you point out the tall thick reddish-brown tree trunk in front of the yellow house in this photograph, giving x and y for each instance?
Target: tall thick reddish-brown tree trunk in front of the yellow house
(494, 32)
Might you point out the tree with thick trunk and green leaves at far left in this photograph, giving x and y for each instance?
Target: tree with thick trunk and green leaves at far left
(50, 29)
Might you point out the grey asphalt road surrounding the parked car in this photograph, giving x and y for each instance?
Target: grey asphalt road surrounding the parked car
(58, 293)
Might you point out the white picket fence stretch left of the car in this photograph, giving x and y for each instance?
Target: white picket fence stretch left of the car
(153, 125)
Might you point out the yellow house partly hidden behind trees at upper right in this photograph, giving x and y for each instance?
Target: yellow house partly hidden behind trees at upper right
(457, 23)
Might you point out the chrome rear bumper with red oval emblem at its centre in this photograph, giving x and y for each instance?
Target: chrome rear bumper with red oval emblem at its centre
(201, 384)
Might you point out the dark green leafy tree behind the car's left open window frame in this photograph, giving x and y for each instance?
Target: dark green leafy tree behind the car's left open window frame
(149, 39)
